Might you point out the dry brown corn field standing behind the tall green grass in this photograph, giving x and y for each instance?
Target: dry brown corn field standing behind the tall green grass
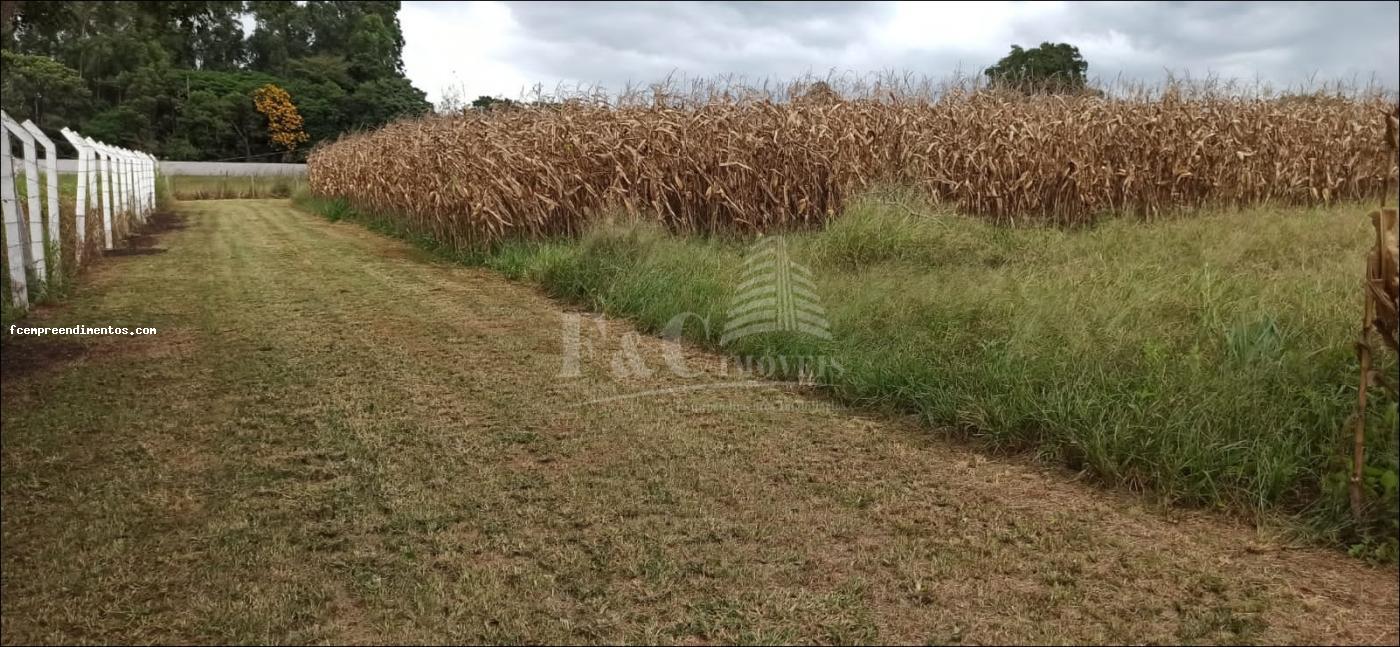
(754, 166)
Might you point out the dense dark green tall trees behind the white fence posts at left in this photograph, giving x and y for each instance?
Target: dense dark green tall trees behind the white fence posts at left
(178, 78)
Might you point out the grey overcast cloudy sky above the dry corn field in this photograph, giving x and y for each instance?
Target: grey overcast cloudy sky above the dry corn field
(502, 48)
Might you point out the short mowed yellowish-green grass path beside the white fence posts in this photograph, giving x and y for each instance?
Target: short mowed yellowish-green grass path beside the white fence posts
(335, 439)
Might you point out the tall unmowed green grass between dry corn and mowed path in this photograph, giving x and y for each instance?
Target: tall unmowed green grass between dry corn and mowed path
(1207, 361)
